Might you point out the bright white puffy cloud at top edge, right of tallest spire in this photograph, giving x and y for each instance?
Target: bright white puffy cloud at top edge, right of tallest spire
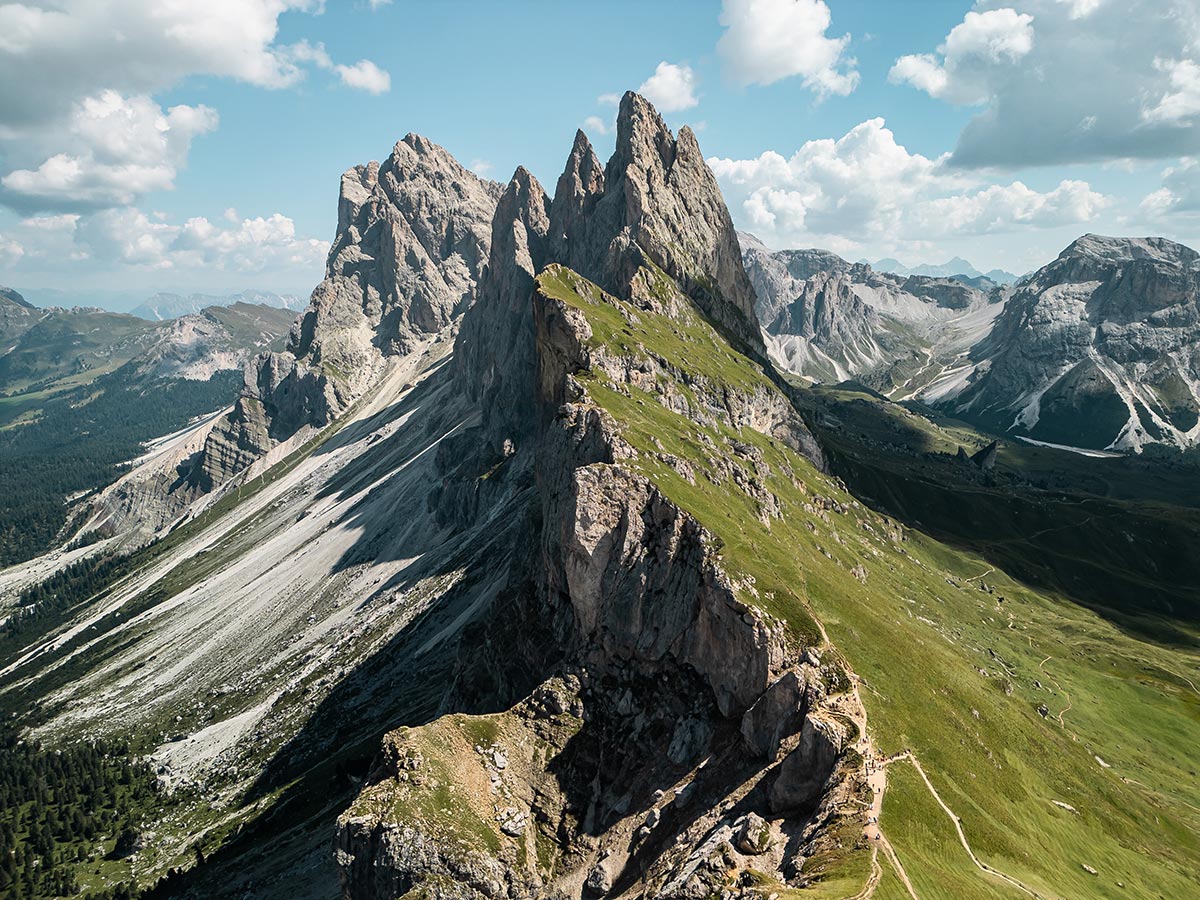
(769, 40)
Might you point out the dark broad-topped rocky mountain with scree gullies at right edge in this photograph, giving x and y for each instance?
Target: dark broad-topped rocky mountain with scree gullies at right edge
(1101, 349)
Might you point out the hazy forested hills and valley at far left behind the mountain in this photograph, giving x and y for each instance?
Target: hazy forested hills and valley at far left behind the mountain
(82, 389)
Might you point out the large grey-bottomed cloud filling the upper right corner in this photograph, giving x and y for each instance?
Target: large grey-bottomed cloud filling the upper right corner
(1069, 81)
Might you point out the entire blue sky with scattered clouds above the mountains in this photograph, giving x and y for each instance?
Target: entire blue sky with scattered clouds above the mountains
(200, 148)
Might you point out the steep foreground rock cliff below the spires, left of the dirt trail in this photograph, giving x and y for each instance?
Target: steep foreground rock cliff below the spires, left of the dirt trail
(597, 782)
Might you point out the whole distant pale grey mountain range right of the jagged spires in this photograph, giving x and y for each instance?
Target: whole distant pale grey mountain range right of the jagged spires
(1099, 350)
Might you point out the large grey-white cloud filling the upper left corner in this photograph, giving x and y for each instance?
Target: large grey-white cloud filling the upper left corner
(79, 122)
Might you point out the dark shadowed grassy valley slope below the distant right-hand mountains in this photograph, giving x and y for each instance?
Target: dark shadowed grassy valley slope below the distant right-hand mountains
(1115, 535)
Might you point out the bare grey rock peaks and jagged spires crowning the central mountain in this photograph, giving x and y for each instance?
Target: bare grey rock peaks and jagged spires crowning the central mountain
(413, 250)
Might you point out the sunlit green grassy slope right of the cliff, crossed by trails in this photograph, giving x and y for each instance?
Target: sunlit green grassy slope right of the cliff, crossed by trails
(953, 657)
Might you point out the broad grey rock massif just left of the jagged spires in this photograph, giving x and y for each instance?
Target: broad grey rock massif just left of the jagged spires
(412, 243)
